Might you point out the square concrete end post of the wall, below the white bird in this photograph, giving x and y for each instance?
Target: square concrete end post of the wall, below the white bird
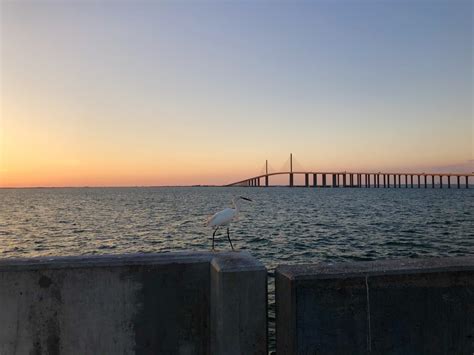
(239, 306)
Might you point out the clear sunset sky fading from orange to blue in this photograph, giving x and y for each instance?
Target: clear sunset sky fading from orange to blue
(133, 93)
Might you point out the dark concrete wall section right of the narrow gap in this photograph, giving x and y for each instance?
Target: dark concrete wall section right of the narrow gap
(387, 307)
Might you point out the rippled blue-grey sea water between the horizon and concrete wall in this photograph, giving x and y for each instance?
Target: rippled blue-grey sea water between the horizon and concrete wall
(281, 225)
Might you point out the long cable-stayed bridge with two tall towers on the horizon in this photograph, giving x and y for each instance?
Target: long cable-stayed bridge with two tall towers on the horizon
(357, 179)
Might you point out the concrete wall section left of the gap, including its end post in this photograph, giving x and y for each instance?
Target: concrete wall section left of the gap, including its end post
(173, 303)
